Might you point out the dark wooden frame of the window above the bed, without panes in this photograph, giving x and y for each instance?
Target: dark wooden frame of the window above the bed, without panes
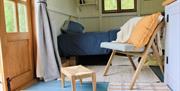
(119, 10)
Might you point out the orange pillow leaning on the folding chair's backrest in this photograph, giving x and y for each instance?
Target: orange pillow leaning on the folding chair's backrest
(144, 29)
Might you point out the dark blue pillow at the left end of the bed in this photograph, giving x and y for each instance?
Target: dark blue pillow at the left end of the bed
(72, 27)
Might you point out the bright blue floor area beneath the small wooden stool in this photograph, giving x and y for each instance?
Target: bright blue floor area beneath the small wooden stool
(56, 86)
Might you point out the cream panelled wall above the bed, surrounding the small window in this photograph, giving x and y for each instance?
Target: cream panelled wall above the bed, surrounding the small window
(90, 15)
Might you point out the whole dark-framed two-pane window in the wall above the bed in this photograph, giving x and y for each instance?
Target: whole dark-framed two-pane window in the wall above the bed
(118, 6)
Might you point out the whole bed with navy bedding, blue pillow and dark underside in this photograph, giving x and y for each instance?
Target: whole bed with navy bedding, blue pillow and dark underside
(75, 42)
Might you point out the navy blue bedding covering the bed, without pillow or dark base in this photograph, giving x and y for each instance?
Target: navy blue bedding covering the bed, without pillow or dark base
(81, 44)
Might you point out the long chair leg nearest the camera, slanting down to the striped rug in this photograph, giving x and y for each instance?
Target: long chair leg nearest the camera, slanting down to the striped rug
(138, 70)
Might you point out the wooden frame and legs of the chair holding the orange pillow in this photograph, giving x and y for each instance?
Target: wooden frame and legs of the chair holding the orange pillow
(143, 56)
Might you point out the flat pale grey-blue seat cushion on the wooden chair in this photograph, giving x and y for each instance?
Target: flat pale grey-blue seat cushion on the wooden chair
(124, 47)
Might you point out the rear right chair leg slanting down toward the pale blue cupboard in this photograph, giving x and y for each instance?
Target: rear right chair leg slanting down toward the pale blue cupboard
(156, 54)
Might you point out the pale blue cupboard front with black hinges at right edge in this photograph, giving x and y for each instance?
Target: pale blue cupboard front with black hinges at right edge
(172, 65)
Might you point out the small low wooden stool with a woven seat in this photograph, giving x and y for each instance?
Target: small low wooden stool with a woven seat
(77, 72)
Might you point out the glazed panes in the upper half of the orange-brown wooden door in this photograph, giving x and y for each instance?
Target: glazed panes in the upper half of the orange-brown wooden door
(16, 16)
